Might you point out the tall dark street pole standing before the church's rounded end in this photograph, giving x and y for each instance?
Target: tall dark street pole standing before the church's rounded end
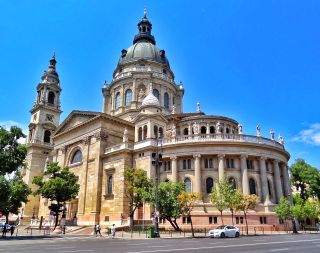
(157, 162)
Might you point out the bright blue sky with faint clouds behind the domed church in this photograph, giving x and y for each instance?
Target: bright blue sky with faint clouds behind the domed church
(257, 62)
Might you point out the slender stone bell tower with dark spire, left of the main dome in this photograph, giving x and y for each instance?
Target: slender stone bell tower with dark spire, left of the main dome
(45, 117)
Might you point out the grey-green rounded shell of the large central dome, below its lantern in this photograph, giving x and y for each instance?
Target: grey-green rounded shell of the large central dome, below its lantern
(144, 50)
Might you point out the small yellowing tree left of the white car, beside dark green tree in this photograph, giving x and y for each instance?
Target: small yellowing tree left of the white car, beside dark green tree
(187, 202)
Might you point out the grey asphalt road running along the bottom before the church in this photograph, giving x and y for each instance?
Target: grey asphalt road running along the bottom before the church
(276, 243)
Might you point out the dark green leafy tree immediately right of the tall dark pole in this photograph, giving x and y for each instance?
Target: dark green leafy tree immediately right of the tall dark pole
(169, 207)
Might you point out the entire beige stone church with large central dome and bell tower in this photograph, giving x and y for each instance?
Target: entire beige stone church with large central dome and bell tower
(142, 112)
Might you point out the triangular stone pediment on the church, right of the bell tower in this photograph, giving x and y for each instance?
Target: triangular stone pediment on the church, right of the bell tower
(74, 119)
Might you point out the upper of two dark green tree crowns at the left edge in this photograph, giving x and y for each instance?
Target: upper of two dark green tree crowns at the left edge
(12, 153)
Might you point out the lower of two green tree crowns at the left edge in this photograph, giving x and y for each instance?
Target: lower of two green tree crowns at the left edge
(13, 192)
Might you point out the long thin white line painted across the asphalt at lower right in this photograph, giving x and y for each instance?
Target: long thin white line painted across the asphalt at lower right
(221, 246)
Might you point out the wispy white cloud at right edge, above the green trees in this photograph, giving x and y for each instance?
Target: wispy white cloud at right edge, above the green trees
(310, 135)
